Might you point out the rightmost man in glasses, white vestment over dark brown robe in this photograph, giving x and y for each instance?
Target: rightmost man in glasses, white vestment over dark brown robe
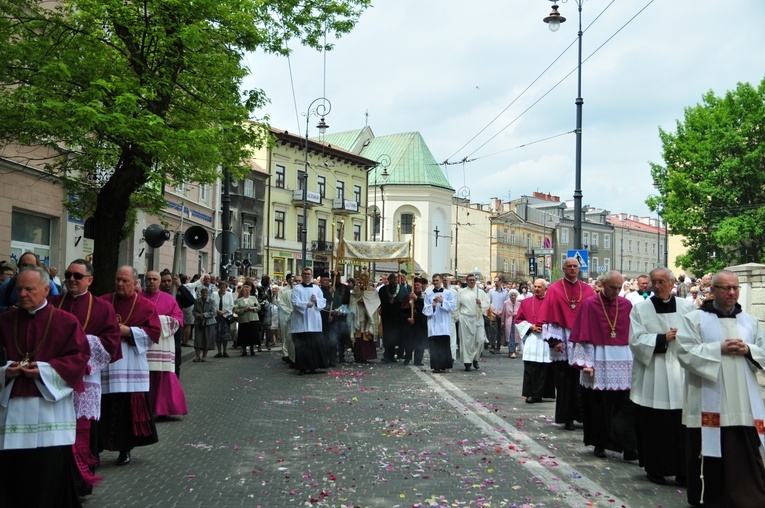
(721, 349)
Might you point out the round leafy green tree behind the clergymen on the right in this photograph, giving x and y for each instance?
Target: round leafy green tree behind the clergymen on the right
(712, 183)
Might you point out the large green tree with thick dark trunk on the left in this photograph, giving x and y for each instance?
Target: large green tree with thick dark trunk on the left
(129, 95)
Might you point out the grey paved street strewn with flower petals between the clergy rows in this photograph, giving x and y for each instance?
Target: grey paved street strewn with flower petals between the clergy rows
(372, 435)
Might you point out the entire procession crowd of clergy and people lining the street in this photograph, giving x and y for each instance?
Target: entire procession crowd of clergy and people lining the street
(659, 370)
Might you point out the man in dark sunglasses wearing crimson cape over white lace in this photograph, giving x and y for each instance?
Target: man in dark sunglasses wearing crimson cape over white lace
(99, 322)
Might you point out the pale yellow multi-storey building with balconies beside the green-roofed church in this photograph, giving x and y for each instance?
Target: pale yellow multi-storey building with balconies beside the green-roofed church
(336, 191)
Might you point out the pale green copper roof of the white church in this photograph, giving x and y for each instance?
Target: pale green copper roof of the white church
(411, 162)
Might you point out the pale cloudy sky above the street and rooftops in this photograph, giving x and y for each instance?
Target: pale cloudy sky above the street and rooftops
(448, 68)
